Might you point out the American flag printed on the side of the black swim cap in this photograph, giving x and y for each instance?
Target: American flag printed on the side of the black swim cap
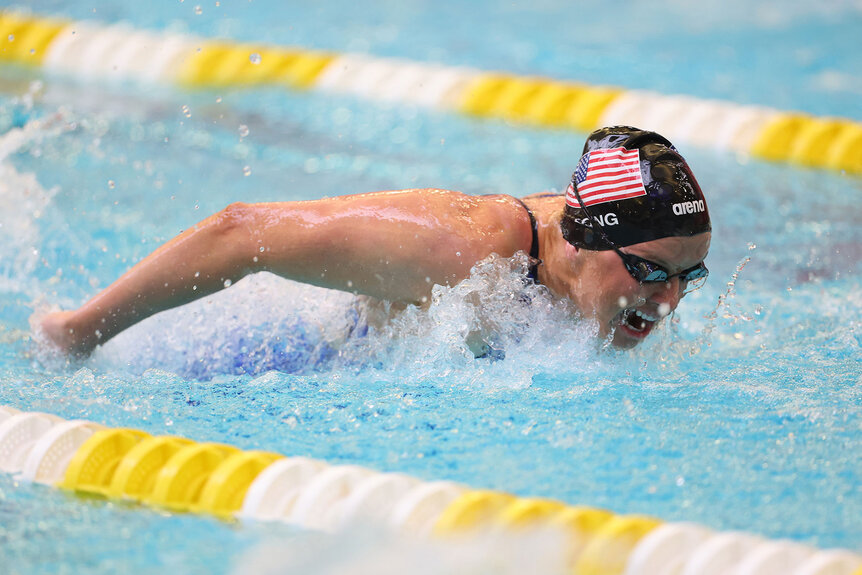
(607, 176)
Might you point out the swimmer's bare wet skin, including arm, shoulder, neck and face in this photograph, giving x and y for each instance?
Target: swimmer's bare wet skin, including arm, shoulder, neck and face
(391, 246)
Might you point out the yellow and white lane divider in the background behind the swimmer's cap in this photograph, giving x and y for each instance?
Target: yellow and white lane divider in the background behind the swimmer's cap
(92, 51)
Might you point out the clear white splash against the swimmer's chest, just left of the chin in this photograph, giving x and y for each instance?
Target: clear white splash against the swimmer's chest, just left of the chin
(517, 327)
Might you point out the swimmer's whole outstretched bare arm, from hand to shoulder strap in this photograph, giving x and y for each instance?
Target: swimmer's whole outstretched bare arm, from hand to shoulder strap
(389, 245)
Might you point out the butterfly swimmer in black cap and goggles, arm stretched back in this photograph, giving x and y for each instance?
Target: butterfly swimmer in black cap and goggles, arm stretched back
(624, 244)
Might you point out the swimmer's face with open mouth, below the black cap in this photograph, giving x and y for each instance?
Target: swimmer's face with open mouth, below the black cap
(624, 308)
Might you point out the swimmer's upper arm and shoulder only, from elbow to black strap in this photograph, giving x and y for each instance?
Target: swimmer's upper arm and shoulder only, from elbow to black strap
(392, 245)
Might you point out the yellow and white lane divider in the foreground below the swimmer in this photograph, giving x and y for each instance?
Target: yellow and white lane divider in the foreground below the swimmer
(182, 475)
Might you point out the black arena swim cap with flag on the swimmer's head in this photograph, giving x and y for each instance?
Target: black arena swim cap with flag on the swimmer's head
(631, 186)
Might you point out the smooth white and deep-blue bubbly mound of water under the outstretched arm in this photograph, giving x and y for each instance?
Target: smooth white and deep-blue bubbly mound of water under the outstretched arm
(262, 323)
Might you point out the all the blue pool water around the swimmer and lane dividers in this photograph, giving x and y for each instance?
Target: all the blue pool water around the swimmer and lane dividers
(742, 413)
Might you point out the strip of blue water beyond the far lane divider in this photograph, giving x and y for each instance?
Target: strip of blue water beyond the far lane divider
(789, 55)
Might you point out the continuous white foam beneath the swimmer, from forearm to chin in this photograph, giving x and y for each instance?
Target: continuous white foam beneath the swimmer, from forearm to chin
(264, 322)
